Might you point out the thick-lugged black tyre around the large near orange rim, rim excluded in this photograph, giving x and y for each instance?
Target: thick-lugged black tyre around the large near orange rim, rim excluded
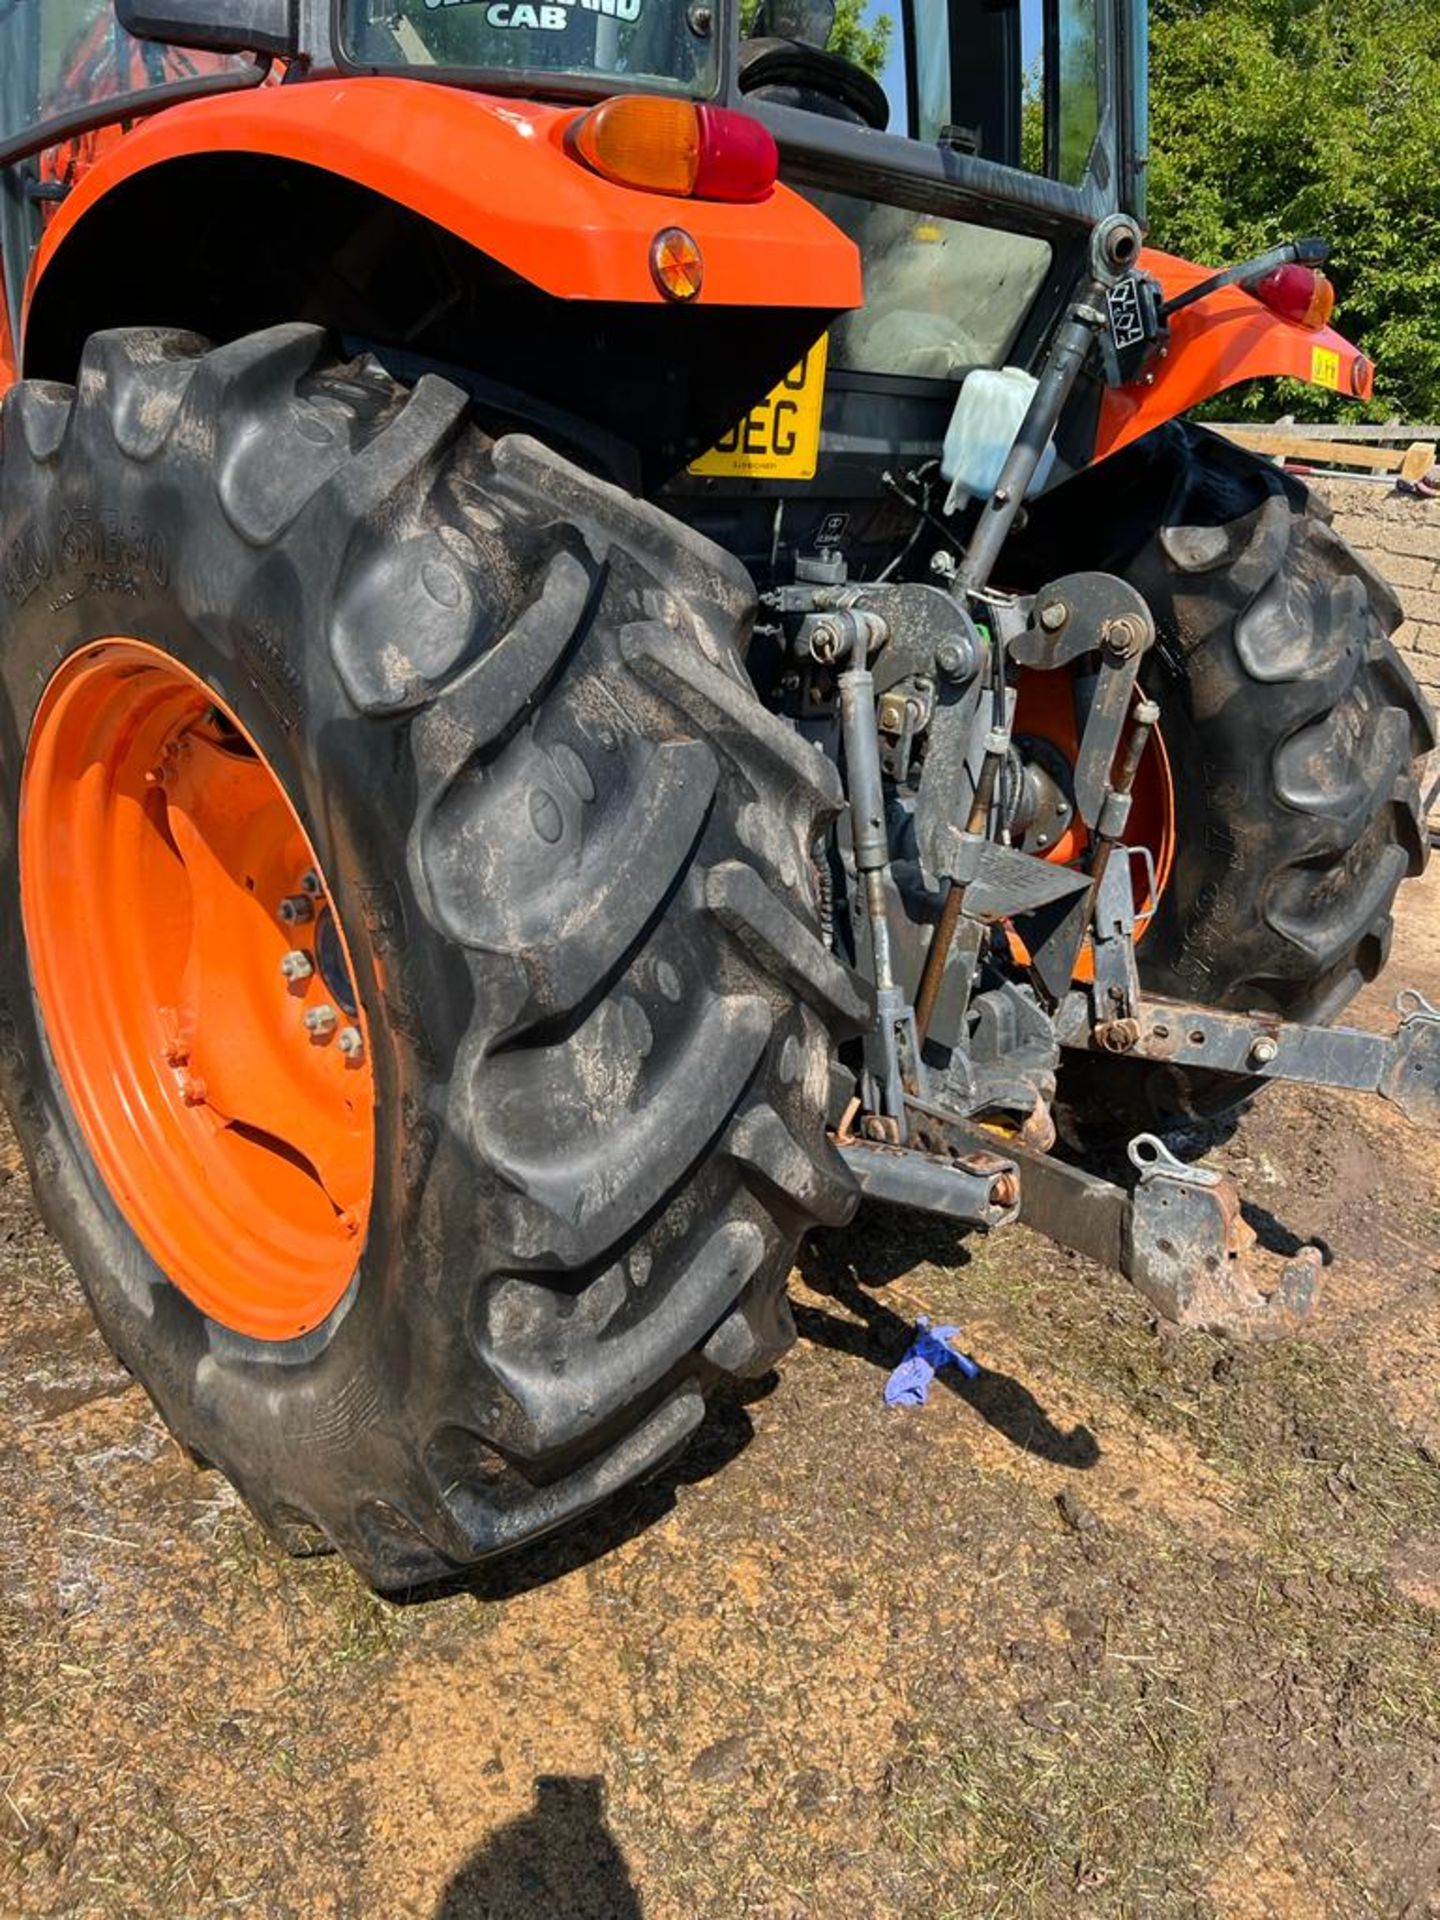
(573, 861)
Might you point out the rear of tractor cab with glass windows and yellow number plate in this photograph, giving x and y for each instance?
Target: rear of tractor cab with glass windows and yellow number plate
(965, 147)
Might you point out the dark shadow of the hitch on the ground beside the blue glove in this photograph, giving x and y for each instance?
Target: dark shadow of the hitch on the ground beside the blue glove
(878, 1335)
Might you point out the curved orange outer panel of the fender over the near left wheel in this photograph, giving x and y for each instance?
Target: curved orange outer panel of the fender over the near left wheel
(496, 174)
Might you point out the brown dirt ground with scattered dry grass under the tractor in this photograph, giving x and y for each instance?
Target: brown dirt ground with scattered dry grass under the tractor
(1134, 1625)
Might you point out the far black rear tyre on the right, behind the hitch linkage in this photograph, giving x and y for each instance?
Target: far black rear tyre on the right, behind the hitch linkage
(1297, 740)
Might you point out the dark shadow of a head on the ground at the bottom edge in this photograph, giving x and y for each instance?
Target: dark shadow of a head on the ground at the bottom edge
(560, 1858)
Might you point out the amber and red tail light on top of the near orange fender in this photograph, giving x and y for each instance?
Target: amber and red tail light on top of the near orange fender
(673, 147)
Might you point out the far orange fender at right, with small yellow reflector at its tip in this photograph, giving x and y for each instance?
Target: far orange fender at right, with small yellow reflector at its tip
(1218, 343)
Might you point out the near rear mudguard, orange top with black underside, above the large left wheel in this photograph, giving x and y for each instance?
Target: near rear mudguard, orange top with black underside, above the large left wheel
(454, 231)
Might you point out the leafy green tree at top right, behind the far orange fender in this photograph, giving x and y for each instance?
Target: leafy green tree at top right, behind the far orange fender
(1282, 118)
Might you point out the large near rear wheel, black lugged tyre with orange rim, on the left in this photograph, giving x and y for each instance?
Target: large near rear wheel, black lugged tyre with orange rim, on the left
(412, 999)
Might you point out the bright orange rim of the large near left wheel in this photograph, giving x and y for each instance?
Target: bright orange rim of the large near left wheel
(197, 990)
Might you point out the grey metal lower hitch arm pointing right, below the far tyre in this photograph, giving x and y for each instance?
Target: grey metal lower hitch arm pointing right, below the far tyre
(1403, 1067)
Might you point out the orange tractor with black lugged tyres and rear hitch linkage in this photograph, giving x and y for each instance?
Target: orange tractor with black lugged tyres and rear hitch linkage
(610, 640)
